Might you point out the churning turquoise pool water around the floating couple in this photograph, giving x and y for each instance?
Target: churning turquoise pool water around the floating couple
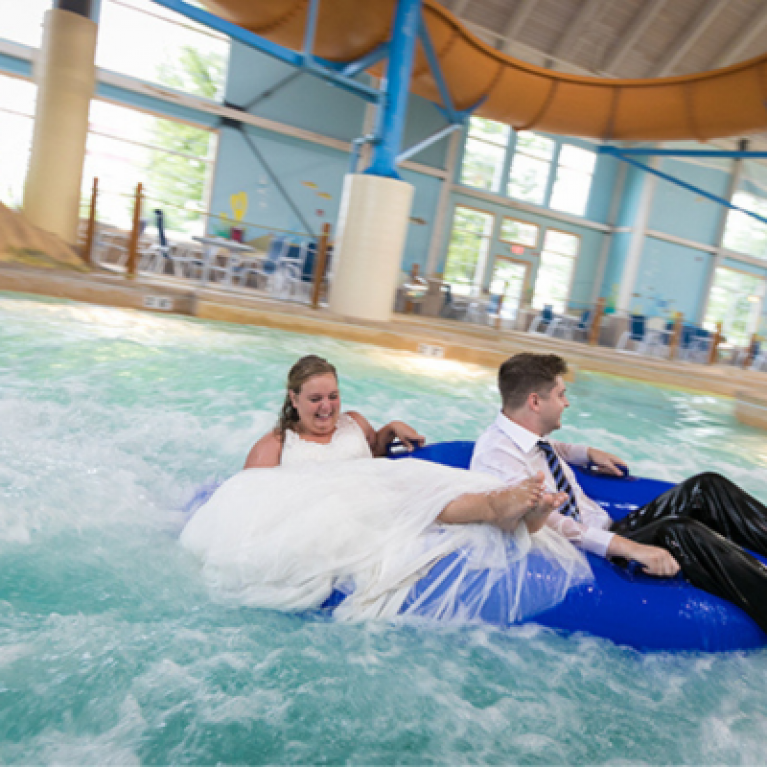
(112, 652)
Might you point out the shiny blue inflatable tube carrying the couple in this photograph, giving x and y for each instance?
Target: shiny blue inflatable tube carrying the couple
(621, 604)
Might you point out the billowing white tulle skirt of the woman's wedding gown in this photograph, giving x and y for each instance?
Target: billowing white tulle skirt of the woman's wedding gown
(287, 537)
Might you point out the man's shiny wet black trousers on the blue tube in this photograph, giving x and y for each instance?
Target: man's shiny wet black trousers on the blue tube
(703, 522)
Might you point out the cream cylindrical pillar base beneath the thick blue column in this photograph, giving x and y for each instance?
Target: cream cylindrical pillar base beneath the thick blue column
(372, 227)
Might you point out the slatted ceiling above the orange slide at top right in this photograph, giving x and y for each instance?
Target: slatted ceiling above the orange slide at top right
(620, 38)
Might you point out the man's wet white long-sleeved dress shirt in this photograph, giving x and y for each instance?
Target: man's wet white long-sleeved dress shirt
(510, 452)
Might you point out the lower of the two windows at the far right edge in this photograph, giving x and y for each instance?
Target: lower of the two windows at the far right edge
(736, 301)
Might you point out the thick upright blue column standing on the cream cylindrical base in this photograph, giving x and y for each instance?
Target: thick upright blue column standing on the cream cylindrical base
(392, 112)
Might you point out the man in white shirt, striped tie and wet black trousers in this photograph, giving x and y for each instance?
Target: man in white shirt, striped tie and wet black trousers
(699, 526)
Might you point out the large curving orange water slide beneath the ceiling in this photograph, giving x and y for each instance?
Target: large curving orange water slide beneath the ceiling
(723, 102)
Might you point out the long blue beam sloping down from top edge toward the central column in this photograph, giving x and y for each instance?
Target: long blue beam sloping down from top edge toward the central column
(327, 70)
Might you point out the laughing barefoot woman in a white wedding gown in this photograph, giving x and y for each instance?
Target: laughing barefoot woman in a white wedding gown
(313, 513)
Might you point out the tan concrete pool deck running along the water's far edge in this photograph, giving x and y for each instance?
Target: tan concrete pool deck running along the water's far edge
(448, 339)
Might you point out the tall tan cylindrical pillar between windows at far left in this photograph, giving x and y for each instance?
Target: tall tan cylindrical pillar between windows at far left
(65, 75)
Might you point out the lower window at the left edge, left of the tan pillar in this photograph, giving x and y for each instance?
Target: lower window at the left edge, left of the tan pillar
(17, 109)
